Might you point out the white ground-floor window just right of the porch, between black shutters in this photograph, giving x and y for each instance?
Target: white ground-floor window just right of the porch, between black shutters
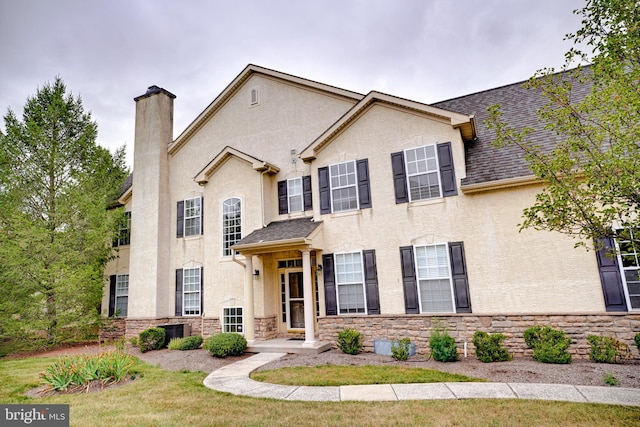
(350, 283)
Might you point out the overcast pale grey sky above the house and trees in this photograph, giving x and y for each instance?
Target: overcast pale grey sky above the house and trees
(110, 51)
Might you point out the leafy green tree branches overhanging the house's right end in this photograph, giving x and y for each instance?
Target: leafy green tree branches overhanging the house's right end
(593, 173)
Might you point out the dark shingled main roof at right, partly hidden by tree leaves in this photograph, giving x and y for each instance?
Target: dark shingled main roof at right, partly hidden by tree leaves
(519, 105)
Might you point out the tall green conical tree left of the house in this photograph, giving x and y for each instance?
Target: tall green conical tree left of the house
(55, 185)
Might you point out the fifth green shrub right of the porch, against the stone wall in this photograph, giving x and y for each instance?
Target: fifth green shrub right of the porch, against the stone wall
(549, 345)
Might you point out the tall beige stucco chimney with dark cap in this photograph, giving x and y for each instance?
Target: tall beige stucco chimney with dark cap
(149, 268)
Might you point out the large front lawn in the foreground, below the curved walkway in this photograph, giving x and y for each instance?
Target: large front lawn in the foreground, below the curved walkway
(163, 398)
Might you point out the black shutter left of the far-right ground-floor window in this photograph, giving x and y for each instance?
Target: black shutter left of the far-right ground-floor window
(610, 277)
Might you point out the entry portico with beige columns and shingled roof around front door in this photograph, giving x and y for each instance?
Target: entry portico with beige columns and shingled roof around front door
(301, 236)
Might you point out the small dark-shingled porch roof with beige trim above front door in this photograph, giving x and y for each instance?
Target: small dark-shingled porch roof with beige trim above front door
(292, 234)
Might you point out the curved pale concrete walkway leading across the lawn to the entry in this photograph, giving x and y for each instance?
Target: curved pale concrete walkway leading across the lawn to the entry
(235, 379)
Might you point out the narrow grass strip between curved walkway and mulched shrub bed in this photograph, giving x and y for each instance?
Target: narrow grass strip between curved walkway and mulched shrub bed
(335, 375)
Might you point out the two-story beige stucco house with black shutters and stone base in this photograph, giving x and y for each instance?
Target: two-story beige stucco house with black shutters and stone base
(290, 207)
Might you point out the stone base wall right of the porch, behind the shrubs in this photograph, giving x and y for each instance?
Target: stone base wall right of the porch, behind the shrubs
(461, 327)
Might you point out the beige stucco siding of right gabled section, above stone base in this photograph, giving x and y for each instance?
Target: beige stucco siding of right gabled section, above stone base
(508, 271)
